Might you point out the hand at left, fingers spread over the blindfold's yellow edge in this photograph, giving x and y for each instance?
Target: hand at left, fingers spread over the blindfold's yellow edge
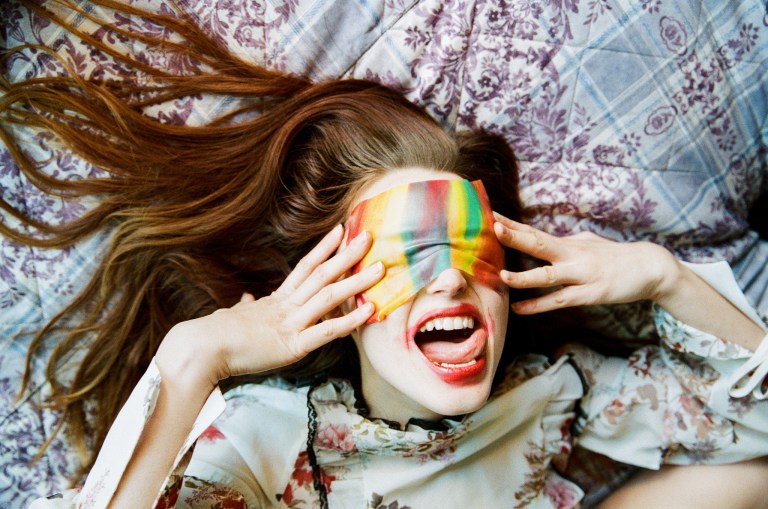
(259, 335)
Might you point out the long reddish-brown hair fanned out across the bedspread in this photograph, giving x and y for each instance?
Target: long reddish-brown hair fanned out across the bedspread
(201, 214)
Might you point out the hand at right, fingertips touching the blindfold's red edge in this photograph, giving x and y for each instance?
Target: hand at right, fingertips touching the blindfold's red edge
(585, 269)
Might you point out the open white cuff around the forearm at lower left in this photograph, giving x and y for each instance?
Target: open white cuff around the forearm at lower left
(121, 441)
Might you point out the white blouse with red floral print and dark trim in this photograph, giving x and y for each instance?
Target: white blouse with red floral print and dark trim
(694, 398)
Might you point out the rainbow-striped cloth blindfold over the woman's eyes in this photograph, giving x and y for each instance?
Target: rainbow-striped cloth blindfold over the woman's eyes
(421, 229)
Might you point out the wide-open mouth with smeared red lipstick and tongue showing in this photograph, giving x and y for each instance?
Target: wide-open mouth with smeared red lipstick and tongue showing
(452, 343)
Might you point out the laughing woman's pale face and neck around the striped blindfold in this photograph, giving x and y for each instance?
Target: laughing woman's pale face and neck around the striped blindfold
(435, 355)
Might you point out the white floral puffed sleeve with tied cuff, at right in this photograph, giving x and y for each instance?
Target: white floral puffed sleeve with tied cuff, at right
(695, 398)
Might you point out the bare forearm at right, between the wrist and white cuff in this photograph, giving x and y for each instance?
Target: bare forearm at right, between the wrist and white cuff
(693, 301)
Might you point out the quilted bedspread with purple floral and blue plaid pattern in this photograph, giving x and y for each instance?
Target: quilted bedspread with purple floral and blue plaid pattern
(644, 119)
